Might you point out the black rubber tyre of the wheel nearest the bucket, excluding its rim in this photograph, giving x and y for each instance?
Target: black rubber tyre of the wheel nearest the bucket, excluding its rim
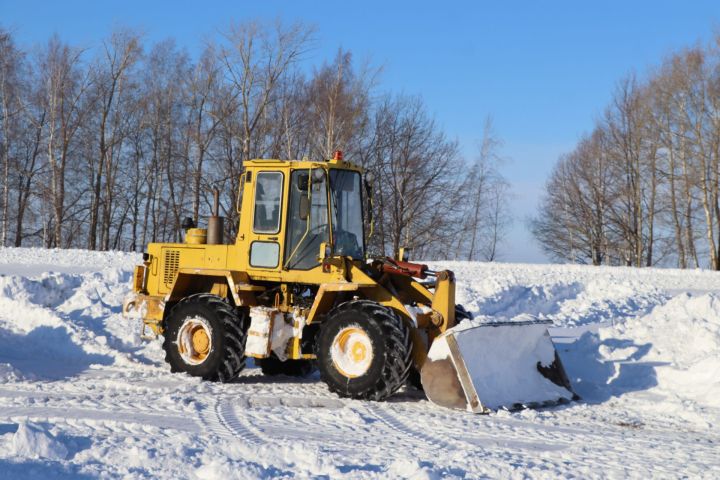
(391, 350)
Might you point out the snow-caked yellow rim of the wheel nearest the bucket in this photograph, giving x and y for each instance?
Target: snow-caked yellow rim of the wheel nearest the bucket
(352, 352)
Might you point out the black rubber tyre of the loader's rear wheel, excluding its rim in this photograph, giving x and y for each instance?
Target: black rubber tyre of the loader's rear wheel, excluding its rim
(226, 358)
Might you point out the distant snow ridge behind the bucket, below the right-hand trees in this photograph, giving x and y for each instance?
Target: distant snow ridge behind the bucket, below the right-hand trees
(570, 295)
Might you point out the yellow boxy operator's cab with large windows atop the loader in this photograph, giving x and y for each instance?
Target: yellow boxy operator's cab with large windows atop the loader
(288, 210)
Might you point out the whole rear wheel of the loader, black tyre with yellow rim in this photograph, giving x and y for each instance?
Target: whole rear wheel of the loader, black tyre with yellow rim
(218, 354)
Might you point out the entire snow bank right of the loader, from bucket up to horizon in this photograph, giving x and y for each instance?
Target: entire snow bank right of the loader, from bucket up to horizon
(652, 334)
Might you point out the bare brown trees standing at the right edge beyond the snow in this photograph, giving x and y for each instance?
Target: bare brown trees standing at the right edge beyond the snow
(643, 188)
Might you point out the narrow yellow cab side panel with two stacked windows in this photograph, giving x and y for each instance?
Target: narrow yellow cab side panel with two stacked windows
(264, 252)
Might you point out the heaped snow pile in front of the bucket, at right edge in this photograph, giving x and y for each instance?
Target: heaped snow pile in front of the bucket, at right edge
(671, 353)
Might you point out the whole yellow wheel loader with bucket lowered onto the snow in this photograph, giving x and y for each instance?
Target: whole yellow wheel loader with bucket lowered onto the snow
(296, 290)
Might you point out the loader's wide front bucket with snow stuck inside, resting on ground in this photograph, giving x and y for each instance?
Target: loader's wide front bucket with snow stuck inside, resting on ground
(480, 367)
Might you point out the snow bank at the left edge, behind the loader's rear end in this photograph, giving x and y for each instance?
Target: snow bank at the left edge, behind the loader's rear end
(65, 319)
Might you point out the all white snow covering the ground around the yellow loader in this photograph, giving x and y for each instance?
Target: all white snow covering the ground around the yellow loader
(82, 396)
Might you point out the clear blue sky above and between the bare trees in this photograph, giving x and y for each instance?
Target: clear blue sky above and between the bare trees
(543, 70)
